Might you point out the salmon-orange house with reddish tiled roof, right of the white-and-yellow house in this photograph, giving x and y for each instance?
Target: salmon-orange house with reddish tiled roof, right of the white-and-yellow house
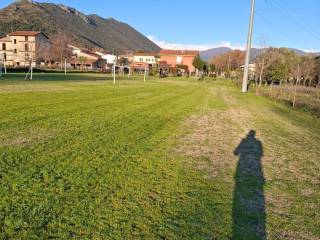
(179, 57)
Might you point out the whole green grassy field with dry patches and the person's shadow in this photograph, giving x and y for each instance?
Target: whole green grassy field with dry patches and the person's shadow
(81, 158)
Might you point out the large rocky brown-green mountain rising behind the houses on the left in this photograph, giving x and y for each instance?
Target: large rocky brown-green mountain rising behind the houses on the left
(85, 30)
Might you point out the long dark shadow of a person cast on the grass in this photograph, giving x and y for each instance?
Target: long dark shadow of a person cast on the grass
(248, 210)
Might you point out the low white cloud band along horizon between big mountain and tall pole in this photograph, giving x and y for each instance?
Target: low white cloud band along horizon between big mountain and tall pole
(200, 47)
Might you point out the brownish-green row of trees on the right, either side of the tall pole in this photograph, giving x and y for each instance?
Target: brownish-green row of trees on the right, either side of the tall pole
(272, 66)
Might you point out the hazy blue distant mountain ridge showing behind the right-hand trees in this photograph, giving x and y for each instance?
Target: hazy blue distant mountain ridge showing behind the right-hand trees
(213, 52)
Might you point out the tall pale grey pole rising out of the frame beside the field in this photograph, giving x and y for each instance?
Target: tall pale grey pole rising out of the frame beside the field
(249, 41)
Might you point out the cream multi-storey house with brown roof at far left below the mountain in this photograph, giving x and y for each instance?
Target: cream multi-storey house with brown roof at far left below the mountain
(20, 48)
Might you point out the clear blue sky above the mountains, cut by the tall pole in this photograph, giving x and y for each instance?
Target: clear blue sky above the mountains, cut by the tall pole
(209, 23)
